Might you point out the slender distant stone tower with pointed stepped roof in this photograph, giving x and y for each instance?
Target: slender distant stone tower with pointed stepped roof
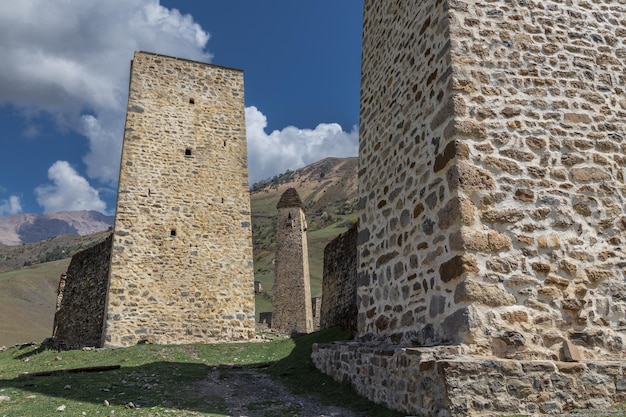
(292, 311)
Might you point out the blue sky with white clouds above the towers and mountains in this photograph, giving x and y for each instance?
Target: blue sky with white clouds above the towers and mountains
(64, 82)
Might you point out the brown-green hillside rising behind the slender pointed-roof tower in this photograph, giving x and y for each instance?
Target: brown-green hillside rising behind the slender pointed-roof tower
(328, 190)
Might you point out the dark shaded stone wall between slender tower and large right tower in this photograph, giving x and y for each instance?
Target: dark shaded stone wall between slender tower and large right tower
(339, 282)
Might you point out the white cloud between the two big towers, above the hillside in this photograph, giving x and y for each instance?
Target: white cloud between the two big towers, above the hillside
(293, 148)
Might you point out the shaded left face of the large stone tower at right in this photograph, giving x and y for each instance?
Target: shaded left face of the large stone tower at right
(406, 80)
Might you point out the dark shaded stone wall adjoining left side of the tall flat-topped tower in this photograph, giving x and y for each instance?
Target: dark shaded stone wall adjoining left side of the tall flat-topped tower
(79, 315)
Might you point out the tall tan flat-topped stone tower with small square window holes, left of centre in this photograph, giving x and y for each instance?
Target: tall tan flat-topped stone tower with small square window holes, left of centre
(181, 265)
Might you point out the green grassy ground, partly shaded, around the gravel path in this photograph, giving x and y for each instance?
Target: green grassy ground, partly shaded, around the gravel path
(161, 380)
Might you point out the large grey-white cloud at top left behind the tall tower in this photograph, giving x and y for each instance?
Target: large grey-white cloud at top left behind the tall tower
(72, 58)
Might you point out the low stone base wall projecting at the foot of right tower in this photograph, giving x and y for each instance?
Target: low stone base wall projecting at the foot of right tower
(442, 381)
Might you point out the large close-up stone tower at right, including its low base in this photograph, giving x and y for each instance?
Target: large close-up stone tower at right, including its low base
(492, 190)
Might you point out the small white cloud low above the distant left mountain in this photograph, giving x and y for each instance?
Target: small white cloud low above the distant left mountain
(68, 191)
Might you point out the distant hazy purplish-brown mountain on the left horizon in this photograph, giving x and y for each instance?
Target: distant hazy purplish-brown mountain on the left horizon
(30, 228)
